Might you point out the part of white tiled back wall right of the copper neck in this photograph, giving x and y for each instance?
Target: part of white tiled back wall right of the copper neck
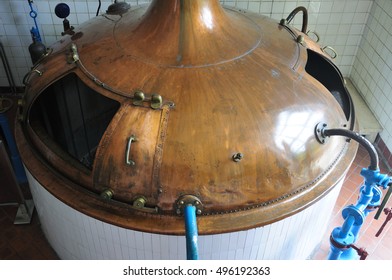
(340, 24)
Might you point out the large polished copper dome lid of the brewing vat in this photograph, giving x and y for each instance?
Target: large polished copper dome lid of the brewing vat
(191, 102)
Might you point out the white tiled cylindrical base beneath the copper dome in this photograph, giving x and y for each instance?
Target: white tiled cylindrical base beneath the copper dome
(74, 235)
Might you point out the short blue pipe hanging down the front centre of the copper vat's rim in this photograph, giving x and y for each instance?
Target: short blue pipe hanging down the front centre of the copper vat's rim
(191, 232)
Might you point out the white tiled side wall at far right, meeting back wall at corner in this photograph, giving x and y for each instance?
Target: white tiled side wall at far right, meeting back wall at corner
(372, 69)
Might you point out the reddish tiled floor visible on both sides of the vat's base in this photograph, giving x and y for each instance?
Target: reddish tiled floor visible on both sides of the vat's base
(28, 241)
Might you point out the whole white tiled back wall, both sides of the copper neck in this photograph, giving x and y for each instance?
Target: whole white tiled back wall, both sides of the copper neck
(339, 23)
